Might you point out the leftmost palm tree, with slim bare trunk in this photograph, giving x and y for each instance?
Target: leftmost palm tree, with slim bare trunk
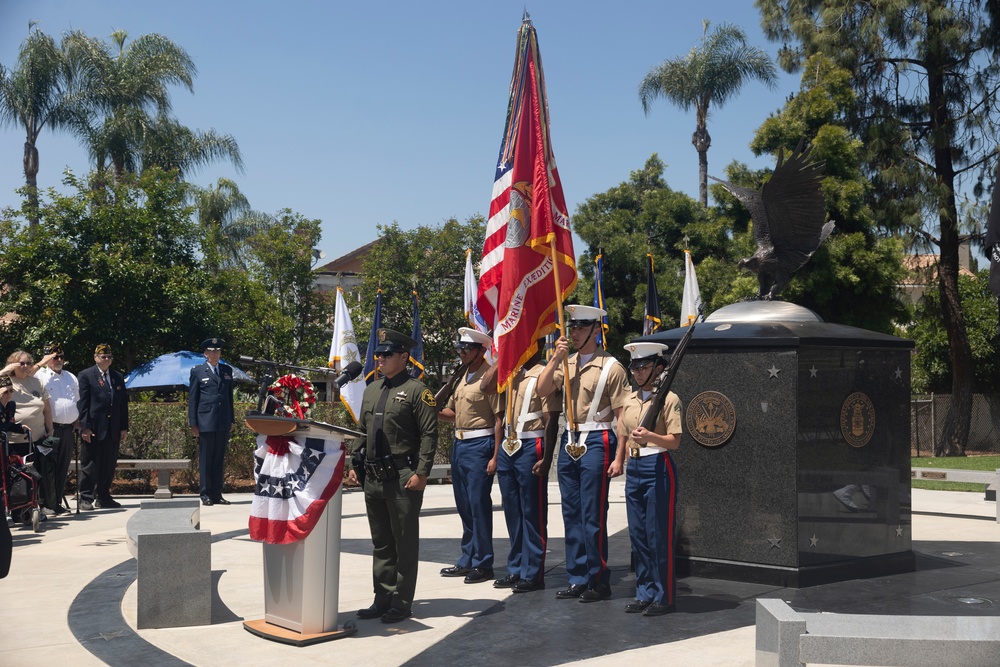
(34, 94)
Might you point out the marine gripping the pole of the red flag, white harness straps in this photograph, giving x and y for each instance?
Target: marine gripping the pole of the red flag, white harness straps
(598, 386)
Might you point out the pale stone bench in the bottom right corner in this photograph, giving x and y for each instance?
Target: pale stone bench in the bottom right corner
(787, 638)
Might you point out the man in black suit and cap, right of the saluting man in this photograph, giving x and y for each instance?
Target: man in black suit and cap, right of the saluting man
(103, 409)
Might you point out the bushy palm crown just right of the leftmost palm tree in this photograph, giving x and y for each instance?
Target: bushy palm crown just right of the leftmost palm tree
(129, 128)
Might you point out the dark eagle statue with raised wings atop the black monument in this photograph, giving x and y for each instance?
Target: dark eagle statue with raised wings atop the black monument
(788, 220)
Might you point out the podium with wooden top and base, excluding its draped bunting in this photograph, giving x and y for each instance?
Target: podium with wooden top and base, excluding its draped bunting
(302, 579)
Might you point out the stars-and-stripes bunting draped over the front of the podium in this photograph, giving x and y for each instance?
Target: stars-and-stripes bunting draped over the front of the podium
(295, 479)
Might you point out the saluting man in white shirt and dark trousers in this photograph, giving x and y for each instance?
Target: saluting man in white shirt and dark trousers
(64, 392)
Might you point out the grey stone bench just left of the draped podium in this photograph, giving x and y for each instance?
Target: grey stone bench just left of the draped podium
(174, 564)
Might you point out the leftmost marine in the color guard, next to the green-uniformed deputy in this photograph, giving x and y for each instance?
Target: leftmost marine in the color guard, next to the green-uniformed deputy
(473, 457)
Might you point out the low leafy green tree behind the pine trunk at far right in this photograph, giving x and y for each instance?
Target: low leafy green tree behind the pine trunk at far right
(931, 361)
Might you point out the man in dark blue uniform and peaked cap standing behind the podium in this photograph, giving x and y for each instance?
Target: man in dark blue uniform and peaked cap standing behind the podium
(211, 418)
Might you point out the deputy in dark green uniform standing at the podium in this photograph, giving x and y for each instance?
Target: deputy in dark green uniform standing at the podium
(399, 422)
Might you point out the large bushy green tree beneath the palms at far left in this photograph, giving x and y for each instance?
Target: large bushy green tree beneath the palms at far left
(118, 269)
